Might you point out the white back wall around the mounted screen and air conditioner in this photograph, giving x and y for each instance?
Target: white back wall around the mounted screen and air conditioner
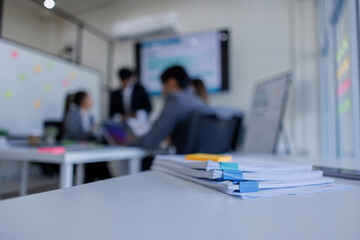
(267, 37)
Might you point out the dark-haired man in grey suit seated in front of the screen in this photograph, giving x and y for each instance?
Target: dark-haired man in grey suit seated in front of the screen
(180, 102)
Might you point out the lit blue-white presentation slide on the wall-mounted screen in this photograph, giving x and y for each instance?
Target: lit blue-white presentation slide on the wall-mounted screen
(200, 54)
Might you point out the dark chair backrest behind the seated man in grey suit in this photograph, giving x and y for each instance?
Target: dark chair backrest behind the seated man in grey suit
(213, 130)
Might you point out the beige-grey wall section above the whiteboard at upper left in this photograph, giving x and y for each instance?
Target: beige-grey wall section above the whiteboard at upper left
(30, 24)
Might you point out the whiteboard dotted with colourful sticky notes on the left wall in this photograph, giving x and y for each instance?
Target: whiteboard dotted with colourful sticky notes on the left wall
(33, 87)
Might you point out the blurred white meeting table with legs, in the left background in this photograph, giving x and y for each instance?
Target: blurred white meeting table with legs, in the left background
(78, 156)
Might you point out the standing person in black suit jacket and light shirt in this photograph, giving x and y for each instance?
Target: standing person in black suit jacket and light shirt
(130, 98)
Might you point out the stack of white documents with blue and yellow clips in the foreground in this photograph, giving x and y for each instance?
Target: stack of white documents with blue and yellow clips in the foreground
(247, 177)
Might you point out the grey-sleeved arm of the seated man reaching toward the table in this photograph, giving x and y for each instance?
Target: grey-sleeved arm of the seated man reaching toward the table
(163, 127)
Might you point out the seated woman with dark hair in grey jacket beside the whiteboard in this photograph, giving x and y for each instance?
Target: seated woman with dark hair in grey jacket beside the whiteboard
(79, 125)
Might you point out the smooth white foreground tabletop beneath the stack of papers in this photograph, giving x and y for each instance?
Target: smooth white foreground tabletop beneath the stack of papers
(153, 205)
